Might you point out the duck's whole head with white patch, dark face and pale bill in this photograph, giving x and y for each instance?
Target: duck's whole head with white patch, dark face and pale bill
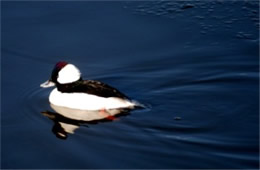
(62, 73)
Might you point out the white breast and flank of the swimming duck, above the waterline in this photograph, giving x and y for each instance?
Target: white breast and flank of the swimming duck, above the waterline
(87, 101)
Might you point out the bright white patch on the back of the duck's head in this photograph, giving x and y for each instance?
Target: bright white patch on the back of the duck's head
(68, 74)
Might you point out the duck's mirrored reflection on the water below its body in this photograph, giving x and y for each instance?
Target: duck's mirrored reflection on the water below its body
(67, 120)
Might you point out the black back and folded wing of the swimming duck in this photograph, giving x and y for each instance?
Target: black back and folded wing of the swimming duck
(92, 87)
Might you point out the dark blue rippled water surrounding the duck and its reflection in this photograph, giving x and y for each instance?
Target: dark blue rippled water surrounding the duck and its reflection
(195, 65)
